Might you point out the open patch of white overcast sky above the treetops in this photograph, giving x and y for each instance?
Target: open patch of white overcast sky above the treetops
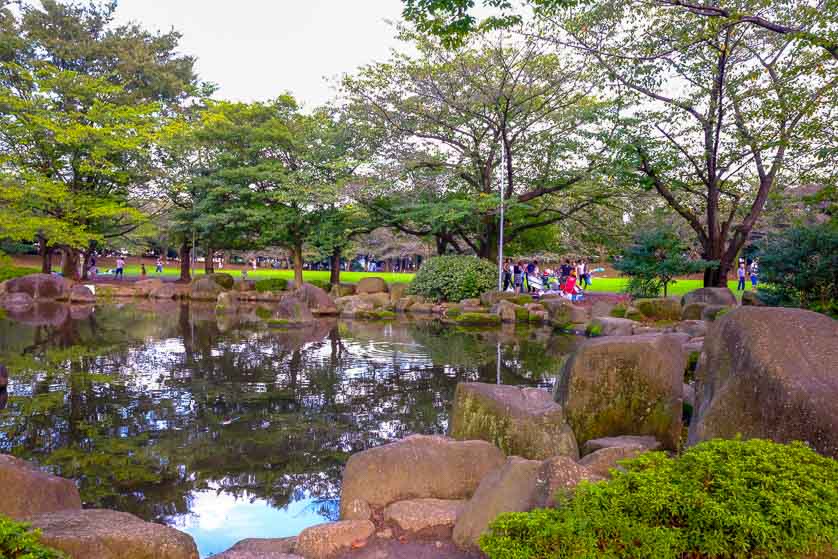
(257, 49)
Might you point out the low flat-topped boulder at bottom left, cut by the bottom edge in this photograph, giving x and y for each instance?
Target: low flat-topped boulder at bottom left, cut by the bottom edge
(107, 534)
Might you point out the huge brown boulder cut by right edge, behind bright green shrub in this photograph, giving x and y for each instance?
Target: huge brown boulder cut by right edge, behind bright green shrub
(769, 373)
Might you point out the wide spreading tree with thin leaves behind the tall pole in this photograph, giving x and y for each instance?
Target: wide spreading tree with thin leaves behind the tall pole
(446, 117)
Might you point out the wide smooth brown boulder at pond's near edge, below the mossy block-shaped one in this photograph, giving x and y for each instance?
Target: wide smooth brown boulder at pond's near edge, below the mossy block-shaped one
(415, 468)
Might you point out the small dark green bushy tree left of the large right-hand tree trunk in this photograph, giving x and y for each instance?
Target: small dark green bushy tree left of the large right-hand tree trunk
(653, 261)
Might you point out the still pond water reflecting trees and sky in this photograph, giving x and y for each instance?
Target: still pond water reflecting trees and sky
(227, 429)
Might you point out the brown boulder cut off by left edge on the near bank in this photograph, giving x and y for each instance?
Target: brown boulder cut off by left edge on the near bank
(28, 491)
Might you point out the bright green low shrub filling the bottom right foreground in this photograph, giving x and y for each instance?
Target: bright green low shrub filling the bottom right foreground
(720, 499)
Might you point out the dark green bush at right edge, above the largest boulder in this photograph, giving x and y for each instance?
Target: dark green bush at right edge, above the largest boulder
(800, 267)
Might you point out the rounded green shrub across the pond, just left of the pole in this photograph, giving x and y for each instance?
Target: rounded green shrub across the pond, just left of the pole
(454, 278)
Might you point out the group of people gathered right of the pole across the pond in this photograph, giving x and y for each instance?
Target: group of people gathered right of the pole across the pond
(570, 279)
